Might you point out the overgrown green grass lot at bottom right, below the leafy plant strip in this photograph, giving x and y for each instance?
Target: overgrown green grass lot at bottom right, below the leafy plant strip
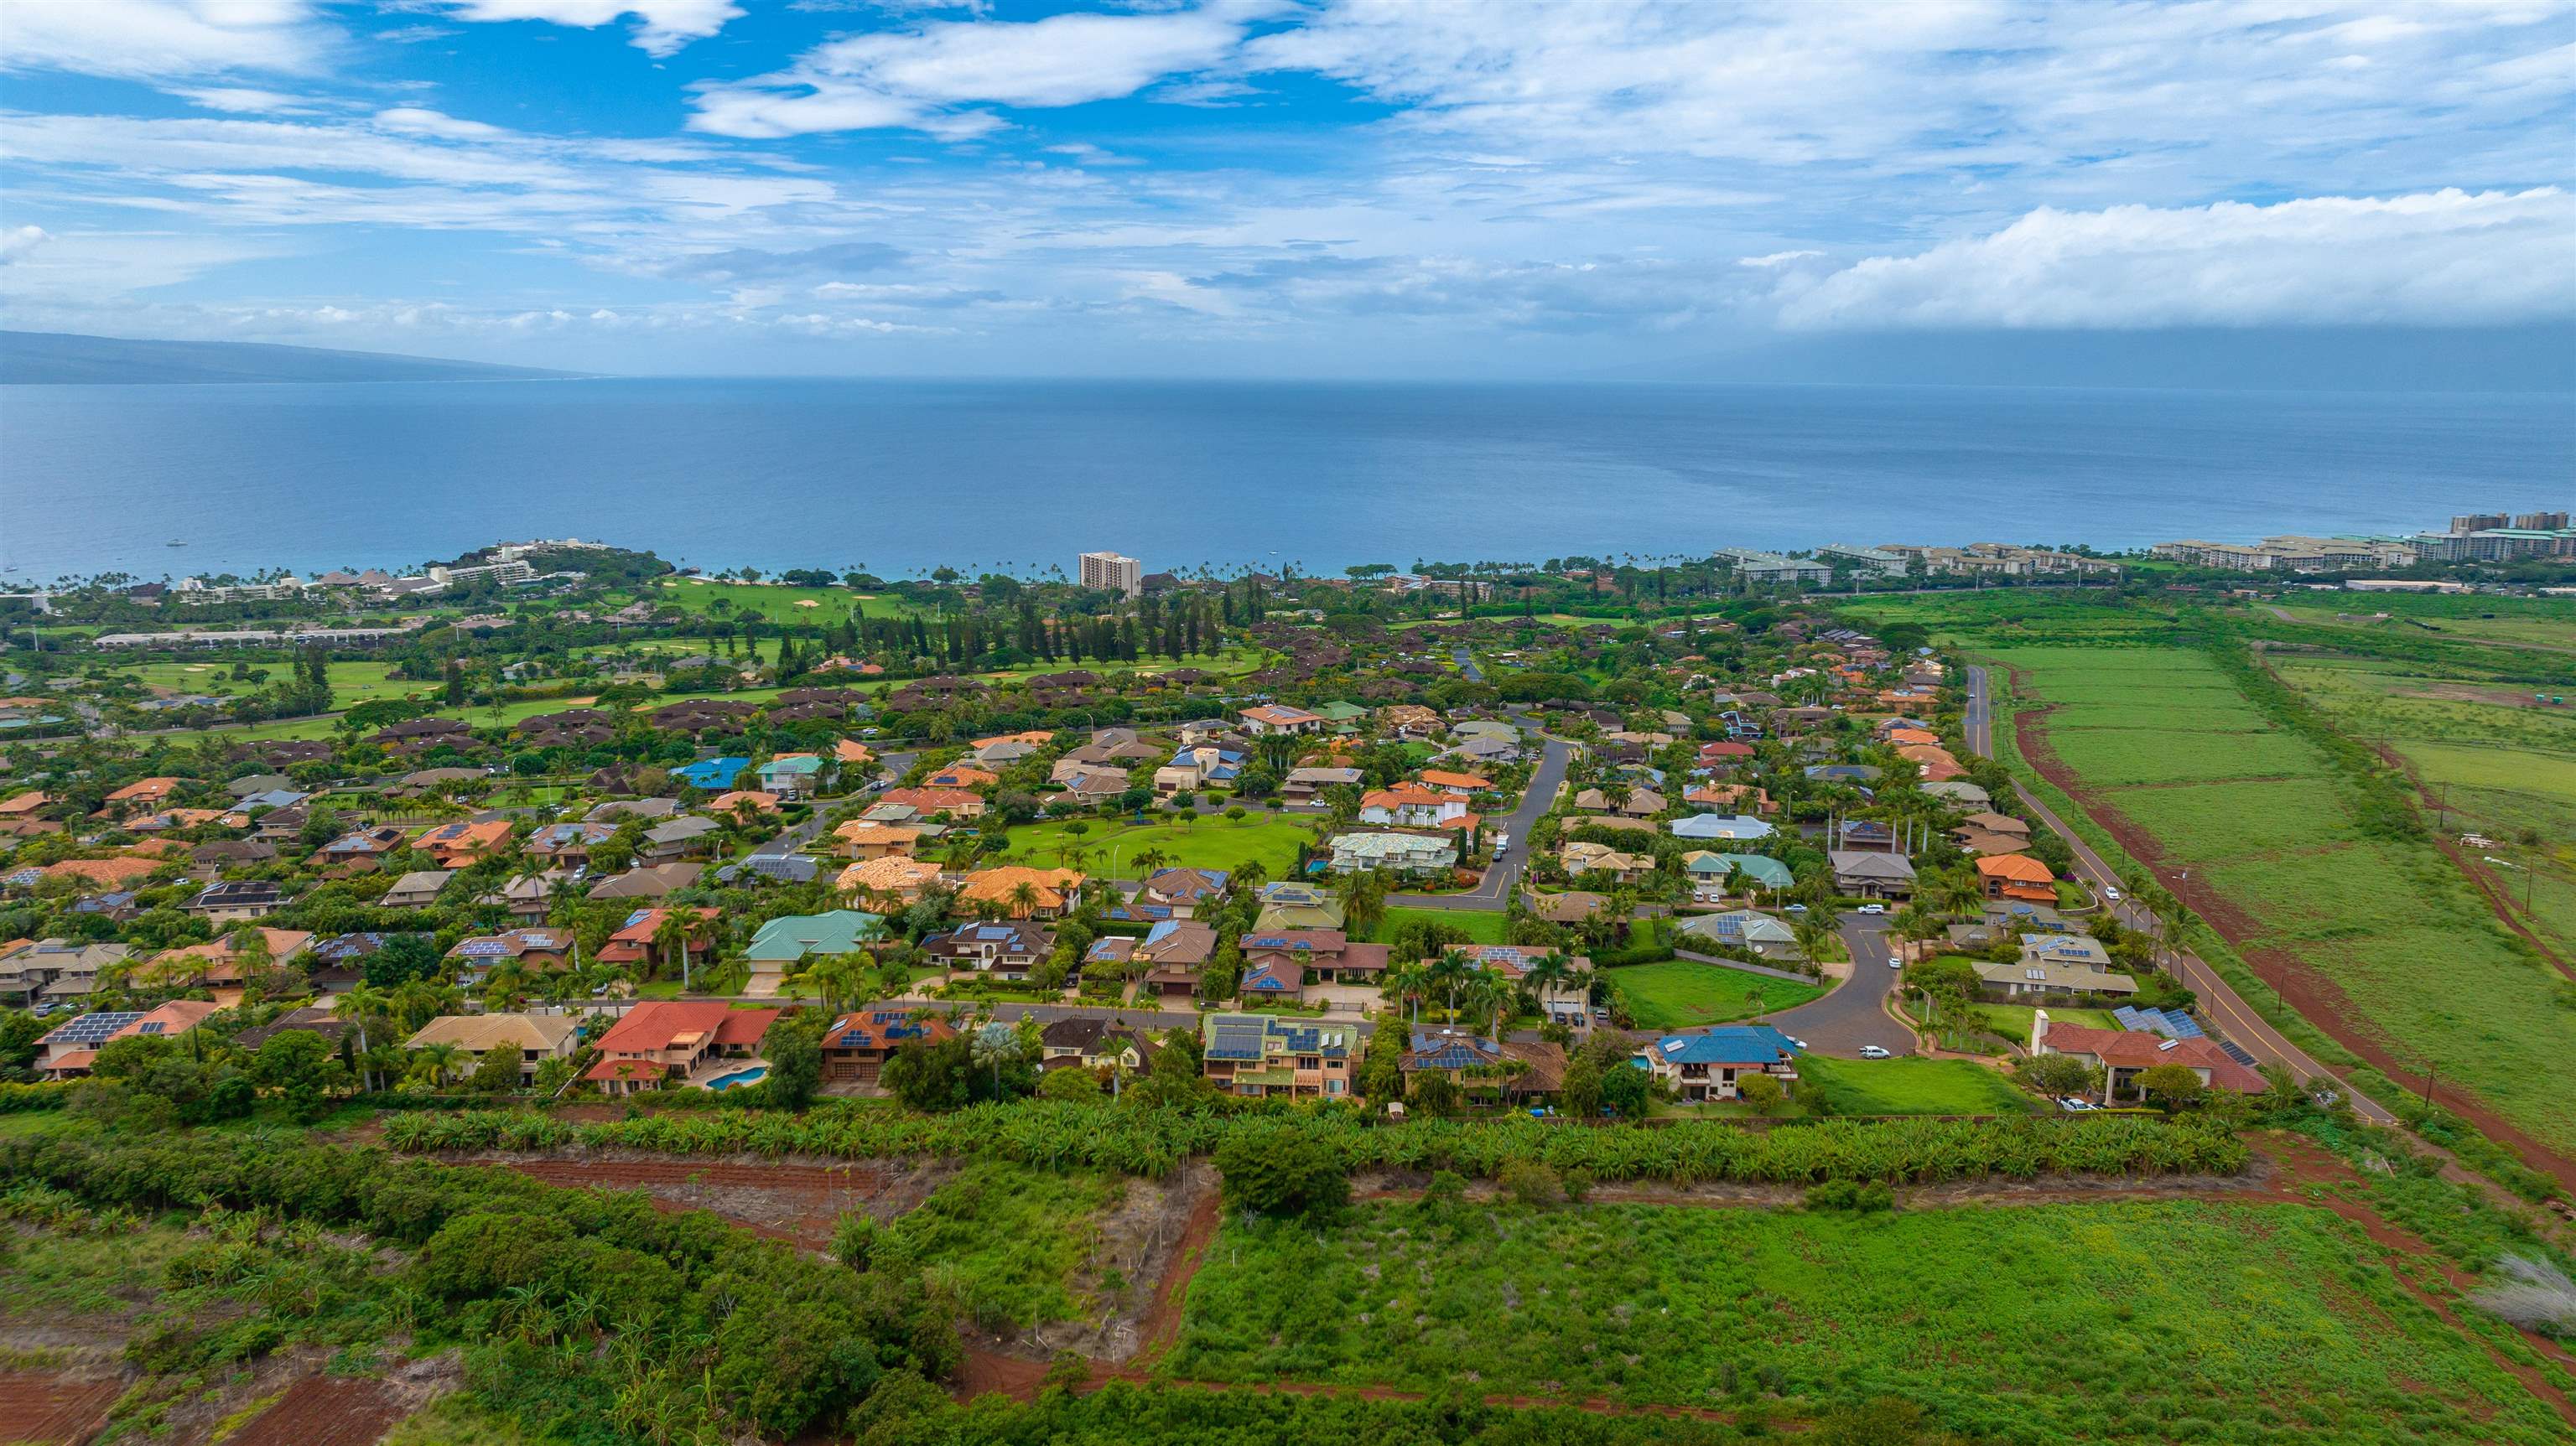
(2134, 1321)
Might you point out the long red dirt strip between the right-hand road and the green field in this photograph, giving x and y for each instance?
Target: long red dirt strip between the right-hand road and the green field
(2299, 987)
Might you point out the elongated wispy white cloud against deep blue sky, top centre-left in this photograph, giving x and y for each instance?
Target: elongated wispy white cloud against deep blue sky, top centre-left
(918, 78)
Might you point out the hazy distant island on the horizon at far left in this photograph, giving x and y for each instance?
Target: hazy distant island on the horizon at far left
(63, 359)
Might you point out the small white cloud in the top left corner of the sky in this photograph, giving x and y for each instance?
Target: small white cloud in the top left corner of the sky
(161, 37)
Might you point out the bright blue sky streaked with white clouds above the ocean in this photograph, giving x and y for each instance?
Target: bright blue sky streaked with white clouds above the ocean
(1271, 187)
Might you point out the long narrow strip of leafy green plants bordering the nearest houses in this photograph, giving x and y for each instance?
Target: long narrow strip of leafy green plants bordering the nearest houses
(1155, 1141)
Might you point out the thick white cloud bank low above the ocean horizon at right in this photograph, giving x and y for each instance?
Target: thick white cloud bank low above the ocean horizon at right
(2443, 259)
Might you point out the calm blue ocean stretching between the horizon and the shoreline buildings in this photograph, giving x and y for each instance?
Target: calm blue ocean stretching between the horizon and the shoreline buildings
(900, 477)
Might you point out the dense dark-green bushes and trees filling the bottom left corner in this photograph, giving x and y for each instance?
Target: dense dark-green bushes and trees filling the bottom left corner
(563, 1301)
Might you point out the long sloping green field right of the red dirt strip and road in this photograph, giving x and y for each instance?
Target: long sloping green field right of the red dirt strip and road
(2389, 948)
